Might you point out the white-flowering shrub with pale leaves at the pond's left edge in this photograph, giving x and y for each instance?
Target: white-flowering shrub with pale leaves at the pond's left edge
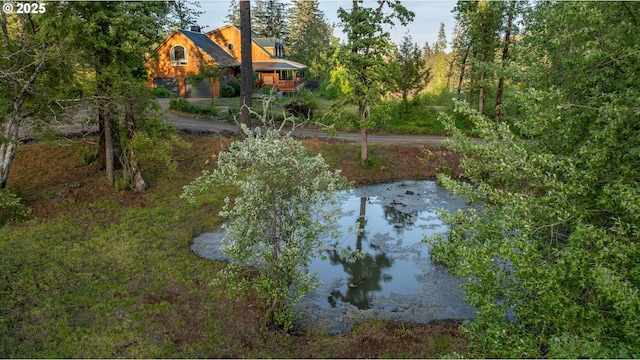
(278, 221)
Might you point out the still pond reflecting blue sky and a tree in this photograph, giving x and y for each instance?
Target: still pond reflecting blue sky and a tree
(395, 278)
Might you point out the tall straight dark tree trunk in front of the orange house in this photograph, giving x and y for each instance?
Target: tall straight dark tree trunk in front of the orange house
(246, 68)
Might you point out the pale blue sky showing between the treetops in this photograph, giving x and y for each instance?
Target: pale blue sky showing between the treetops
(425, 26)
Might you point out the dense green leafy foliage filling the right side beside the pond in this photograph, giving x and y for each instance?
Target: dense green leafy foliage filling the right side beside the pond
(552, 258)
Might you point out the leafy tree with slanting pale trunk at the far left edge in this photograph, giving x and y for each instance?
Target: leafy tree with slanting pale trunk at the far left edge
(33, 59)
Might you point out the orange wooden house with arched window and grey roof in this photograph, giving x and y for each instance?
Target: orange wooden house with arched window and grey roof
(185, 51)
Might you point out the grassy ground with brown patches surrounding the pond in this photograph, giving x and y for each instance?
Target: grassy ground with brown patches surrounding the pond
(101, 273)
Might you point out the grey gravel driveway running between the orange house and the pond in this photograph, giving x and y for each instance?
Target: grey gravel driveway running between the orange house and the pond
(185, 122)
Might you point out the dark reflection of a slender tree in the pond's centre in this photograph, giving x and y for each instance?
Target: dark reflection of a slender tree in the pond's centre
(364, 275)
